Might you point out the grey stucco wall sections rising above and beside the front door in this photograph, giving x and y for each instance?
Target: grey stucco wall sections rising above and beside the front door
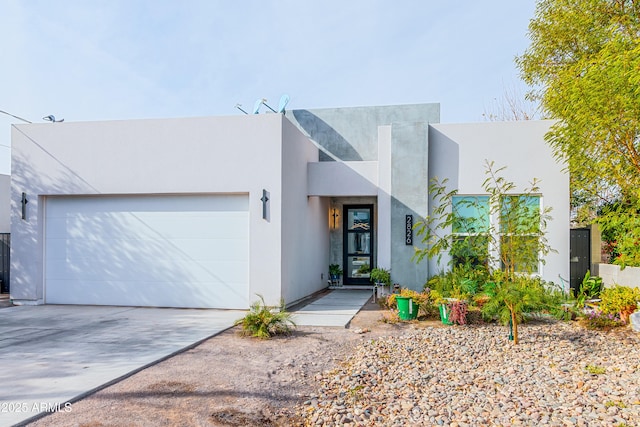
(352, 134)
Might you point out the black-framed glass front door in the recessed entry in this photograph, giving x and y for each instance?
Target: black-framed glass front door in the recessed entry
(358, 244)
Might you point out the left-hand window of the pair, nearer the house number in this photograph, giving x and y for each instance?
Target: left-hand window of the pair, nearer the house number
(470, 244)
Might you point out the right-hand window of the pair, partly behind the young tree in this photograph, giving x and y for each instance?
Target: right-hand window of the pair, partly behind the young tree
(519, 233)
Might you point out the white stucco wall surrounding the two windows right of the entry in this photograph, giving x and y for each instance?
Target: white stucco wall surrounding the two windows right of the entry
(458, 153)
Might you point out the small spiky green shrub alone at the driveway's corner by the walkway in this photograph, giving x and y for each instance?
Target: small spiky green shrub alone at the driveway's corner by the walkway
(264, 321)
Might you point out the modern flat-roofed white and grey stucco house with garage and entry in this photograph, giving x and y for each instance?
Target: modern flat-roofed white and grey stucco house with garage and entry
(208, 212)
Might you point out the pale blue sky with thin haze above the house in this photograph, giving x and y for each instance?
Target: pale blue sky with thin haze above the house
(85, 60)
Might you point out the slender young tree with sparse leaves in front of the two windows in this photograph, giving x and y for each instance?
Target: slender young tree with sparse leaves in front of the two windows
(510, 246)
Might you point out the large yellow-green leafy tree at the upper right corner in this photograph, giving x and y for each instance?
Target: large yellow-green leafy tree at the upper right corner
(584, 61)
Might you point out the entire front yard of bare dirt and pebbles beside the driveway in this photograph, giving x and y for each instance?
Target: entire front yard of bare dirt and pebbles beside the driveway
(406, 374)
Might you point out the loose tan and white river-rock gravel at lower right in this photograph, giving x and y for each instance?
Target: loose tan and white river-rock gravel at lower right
(559, 375)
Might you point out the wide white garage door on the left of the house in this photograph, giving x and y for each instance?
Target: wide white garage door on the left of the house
(161, 251)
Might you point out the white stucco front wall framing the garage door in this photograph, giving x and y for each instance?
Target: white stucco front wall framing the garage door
(236, 154)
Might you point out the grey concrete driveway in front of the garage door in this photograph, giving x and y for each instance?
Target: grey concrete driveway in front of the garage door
(50, 354)
